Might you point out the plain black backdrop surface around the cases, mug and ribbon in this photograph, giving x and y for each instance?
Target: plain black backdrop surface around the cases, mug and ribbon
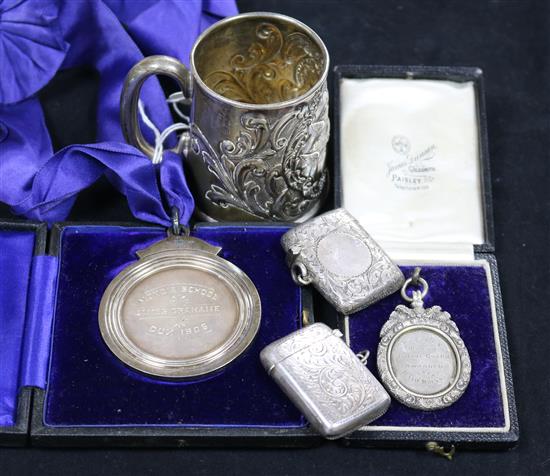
(510, 41)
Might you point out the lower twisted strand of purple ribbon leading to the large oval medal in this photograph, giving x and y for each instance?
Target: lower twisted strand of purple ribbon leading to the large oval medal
(56, 184)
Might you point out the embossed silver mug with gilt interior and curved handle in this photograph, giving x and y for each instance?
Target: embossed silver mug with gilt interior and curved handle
(259, 117)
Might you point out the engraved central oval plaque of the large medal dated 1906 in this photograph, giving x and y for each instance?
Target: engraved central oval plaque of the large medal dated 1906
(172, 319)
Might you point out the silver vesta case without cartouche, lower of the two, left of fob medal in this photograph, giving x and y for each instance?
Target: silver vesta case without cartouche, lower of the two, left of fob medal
(328, 383)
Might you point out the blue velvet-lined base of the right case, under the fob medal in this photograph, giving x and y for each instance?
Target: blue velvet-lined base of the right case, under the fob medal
(470, 293)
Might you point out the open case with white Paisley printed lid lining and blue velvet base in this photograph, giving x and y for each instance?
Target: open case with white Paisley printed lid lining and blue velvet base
(411, 163)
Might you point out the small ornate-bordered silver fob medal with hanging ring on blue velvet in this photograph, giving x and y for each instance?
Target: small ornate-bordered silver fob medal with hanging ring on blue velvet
(422, 360)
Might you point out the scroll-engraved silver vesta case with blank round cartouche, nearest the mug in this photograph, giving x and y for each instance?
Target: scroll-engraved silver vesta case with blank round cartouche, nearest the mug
(335, 254)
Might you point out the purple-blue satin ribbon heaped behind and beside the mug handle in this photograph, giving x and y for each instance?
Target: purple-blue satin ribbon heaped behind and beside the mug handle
(37, 37)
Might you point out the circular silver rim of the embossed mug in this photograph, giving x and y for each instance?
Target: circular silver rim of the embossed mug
(263, 106)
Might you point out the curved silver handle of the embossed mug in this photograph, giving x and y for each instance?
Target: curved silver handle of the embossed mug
(152, 65)
